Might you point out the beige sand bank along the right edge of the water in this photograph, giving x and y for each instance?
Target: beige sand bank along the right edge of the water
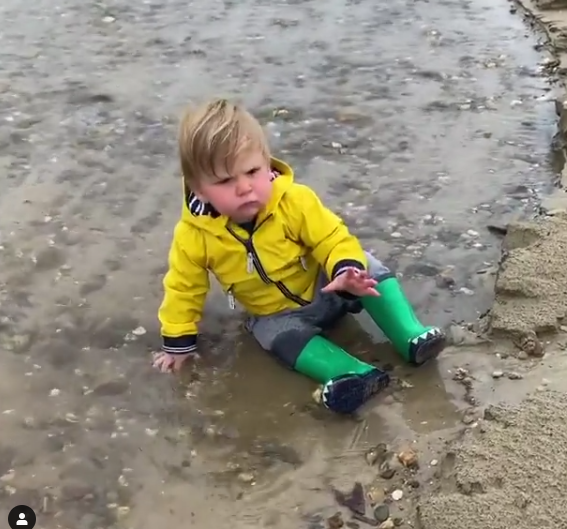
(507, 469)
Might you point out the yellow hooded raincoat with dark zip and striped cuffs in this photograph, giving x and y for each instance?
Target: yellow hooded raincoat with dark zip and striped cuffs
(274, 269)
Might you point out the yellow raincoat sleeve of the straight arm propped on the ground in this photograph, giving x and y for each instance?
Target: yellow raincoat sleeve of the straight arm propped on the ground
(186, 284)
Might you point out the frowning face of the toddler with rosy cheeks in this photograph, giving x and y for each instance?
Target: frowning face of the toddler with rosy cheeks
(243, 193)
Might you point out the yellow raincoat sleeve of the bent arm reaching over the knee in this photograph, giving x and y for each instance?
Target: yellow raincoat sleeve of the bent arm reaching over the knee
(332, 245)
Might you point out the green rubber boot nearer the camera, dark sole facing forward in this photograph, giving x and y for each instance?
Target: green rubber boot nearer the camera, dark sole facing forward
(347, 382)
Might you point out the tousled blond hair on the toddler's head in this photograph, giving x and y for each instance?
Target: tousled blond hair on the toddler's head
(213, 135)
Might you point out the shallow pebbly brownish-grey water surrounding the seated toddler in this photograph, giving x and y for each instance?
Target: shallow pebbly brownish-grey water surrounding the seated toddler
(421, 122)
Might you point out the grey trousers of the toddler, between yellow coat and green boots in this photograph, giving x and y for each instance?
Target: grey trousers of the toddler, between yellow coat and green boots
(324, 311)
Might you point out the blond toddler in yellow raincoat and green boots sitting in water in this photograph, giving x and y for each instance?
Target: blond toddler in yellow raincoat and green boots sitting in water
(287, 259)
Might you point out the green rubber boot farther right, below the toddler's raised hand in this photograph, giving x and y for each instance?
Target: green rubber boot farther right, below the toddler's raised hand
(393, 313)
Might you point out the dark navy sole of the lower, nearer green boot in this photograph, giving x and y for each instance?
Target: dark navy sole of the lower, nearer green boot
(346, 394)
